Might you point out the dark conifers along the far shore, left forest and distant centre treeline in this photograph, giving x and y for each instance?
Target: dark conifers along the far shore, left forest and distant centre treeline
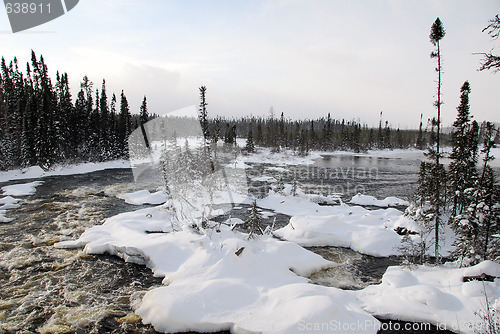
(41, 125)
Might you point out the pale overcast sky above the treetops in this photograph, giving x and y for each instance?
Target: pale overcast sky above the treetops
(352, 58)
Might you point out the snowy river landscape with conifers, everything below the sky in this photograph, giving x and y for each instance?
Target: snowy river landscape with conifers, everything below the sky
(192, 222)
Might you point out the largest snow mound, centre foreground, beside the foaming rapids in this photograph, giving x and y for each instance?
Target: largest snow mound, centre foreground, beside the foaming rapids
(221, 280)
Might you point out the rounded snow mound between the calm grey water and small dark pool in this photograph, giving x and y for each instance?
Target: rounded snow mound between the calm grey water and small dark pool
(365, 231)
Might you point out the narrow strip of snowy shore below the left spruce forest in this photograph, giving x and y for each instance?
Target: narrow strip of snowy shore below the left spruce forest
(83, 168)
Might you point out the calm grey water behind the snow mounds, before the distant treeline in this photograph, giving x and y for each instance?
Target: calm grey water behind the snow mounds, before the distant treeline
(347, 175)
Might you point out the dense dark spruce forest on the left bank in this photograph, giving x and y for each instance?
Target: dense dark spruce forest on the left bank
(41, 125)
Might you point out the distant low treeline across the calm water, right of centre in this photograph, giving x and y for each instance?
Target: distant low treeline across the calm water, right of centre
(323, 134)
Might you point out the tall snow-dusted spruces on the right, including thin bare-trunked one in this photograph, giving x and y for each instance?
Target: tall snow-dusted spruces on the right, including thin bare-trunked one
(465, 194)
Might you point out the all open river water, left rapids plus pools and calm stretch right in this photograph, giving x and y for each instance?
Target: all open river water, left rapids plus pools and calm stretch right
(49, 290)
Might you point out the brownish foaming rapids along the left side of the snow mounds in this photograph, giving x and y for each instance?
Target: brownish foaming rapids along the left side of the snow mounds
(51, 290)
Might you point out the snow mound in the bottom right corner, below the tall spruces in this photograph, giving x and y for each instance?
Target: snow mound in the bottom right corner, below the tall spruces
(435, 294)
